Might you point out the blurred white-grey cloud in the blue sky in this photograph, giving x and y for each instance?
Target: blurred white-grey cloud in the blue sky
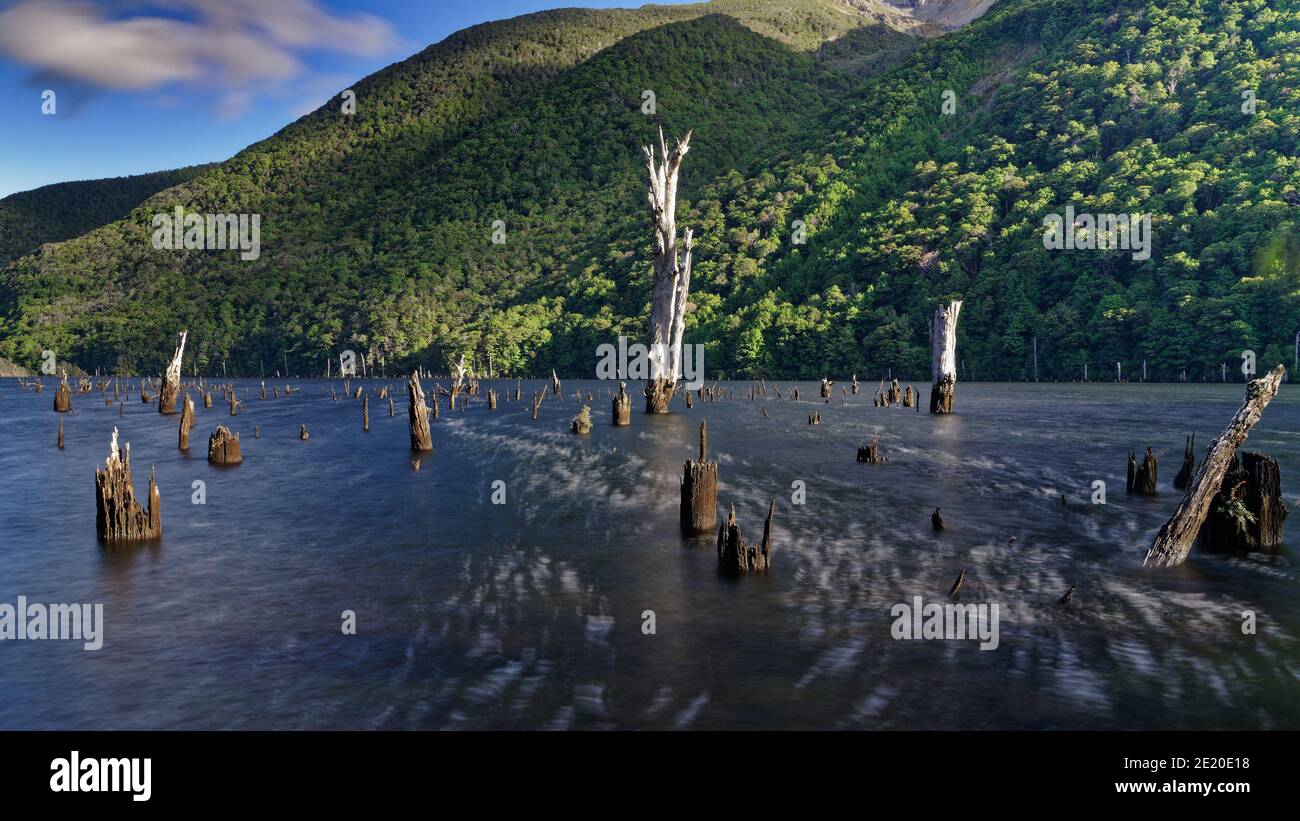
(236, 49)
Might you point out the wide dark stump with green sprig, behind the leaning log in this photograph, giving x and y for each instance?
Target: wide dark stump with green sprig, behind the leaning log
(1247, 514)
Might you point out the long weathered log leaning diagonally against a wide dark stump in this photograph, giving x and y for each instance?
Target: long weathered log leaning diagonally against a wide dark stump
(1178, 535)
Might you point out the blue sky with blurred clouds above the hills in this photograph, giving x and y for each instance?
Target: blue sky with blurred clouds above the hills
(133, 97)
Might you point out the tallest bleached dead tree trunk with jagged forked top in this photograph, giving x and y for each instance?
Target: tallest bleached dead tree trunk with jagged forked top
(671, 275)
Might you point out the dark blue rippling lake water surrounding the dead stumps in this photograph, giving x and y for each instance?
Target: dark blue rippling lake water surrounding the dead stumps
(528, 615)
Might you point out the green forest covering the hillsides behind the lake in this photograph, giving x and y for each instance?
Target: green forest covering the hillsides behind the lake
(846, 176)
